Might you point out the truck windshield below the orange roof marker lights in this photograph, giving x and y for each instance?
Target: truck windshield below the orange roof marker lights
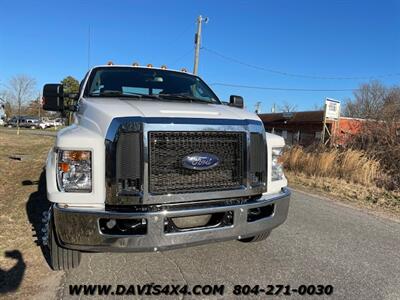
(135, 82)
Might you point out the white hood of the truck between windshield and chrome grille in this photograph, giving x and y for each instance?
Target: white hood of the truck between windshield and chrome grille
(97, 113)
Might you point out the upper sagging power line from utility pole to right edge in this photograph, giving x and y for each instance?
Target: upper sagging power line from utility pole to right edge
(261, 68)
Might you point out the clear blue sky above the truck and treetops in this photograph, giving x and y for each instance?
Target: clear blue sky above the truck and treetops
(290, 45)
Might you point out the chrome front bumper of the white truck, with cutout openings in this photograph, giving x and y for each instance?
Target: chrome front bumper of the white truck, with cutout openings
(79, 229)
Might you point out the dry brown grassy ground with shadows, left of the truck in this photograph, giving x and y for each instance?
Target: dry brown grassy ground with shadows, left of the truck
(24, 273)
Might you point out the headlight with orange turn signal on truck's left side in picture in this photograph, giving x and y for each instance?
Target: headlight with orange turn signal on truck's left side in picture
(74, 171)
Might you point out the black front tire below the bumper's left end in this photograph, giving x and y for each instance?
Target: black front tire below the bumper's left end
(61, 258)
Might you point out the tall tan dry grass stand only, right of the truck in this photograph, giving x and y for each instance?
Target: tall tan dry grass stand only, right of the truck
(351, 165)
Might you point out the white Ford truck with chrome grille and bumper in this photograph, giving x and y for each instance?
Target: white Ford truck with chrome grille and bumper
(154, 161)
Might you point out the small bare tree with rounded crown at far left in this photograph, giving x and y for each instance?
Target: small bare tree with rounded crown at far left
(20, 90)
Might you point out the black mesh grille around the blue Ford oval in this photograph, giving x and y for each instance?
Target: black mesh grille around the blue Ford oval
(167, 149)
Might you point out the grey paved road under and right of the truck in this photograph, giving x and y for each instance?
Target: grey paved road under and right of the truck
(322, 242)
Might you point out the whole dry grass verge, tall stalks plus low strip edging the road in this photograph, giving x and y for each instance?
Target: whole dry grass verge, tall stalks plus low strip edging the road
(347, 174)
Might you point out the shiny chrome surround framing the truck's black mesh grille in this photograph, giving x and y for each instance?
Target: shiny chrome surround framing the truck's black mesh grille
(157, 124)
